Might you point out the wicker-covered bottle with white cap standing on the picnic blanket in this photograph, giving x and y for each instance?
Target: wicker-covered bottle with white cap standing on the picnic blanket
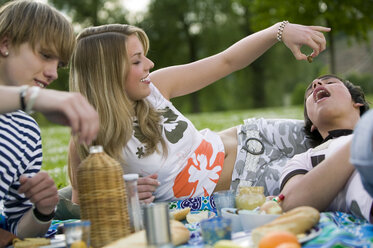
(103, 198)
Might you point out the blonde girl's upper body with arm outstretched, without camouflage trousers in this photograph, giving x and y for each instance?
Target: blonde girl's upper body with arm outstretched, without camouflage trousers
(139, 125)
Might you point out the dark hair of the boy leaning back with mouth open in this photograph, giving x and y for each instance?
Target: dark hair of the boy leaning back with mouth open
(357, 96)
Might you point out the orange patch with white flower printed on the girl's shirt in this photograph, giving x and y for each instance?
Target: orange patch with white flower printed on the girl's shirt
(201, 173)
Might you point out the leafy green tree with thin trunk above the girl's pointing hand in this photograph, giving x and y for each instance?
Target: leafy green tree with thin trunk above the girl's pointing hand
(353, 18)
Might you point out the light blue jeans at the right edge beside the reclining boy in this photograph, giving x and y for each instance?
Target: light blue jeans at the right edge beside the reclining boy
(362, 150)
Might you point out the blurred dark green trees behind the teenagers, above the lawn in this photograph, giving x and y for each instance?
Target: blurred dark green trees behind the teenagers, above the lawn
(188, 30)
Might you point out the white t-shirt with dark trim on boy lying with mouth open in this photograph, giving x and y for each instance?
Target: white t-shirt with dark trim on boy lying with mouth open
(353, 198)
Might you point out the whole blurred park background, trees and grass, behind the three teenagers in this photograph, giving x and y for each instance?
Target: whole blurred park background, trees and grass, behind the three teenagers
(181, 31)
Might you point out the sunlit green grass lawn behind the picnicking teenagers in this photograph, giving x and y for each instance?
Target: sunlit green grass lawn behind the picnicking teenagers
(56, 138)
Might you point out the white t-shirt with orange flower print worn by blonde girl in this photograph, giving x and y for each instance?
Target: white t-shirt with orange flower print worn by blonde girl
(195, 158)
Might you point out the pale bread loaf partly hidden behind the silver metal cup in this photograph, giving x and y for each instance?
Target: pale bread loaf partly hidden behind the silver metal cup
(180, 235)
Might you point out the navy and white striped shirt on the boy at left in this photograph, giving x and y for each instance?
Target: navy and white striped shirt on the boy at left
(20, 154)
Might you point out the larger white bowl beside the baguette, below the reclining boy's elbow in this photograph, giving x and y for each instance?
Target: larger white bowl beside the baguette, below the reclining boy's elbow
(252, 219)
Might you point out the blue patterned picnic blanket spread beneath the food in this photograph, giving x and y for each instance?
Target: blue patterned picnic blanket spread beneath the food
(337, 229)
